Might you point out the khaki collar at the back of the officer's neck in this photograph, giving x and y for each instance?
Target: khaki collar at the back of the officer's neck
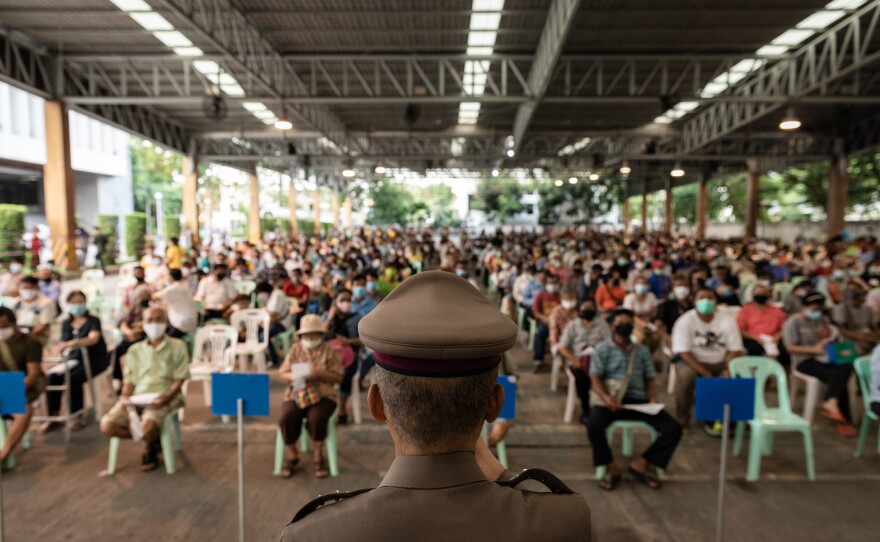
(433, 471)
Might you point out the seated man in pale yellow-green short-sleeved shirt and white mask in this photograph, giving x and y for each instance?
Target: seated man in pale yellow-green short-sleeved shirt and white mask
(159, 365)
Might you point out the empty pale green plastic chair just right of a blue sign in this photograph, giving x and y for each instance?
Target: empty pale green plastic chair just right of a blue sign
(768, 420)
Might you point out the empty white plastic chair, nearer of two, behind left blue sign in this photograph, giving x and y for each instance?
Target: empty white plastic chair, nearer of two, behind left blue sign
(213, 352)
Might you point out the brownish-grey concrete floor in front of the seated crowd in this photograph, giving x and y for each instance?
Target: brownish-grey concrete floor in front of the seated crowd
(56, 493)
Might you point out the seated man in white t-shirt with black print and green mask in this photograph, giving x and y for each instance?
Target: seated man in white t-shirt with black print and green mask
(705, 342)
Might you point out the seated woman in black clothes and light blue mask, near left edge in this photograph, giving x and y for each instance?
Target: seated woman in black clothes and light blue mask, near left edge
(79, 330)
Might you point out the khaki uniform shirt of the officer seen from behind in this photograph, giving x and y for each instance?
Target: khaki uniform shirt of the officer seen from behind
(445, 498)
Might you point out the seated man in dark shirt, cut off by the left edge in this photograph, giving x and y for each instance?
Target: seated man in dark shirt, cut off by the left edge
(20, 352)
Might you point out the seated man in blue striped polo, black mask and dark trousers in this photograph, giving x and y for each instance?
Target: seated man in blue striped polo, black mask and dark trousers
(611, 362)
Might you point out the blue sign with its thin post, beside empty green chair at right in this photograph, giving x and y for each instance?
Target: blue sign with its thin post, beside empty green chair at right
(725, 399)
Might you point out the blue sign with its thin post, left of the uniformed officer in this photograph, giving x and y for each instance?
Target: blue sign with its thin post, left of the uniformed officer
(240, 395)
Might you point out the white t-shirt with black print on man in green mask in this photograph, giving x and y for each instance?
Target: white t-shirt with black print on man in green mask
(708, 341)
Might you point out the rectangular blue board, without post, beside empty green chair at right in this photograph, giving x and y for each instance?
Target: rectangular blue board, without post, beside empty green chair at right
(714, 393)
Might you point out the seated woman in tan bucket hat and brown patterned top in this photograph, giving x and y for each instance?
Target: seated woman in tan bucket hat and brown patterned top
(312, 397)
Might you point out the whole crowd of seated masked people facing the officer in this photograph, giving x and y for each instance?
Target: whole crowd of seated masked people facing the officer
(691, 304)
